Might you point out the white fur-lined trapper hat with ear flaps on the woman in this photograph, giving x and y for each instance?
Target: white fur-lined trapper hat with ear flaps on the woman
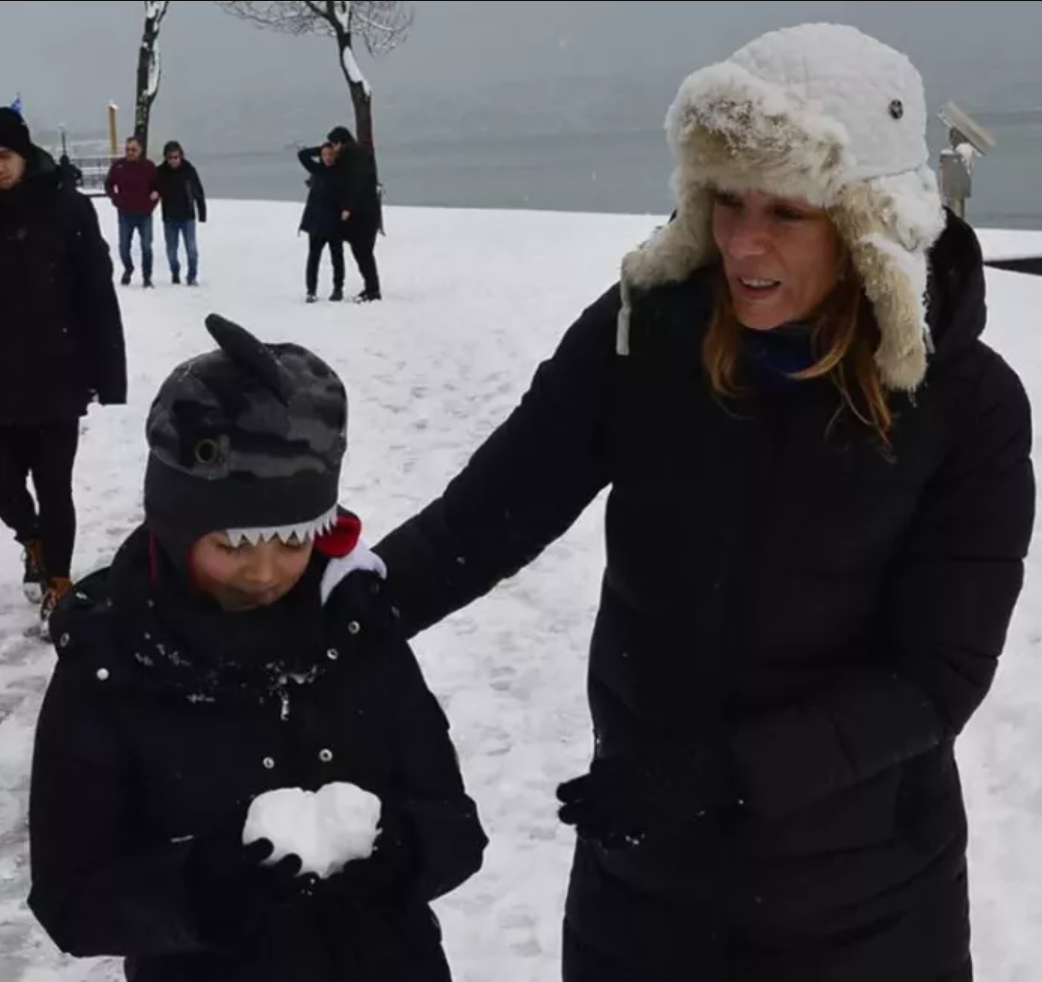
(826, 114)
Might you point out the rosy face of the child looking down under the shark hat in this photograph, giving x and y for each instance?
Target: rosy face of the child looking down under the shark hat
(247, 577)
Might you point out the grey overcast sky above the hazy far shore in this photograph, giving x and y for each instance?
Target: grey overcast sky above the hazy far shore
(68, 60)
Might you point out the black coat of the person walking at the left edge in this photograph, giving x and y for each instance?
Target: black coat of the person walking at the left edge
(62, 340)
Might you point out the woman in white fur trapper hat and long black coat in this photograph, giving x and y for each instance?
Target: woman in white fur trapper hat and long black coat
(822, 498)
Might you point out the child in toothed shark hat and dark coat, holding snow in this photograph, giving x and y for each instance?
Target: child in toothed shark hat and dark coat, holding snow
(241, 643)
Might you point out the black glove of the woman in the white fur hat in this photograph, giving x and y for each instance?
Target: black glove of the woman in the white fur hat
(624, 800)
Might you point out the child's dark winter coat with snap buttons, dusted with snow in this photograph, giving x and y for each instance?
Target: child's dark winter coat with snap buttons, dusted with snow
(136, 755)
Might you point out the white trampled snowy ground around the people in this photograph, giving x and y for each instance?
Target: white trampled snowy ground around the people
(474, 302)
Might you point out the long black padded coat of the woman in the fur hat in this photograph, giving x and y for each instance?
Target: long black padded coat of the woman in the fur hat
(824, 621)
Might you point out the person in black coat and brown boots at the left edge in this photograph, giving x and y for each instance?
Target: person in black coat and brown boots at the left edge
(61, 348)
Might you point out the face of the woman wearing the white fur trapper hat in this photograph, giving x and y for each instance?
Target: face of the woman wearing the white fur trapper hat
(781, 257)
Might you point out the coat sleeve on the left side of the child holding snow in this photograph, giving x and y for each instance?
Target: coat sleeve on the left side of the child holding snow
(95, 890)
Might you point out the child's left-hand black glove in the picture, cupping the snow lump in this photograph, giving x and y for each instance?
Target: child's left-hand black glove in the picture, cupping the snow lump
(233, 892)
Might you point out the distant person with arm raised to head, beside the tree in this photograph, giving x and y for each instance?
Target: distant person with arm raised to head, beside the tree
(324, 218)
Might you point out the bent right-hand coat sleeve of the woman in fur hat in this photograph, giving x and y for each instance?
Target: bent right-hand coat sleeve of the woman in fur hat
(944, 623)
